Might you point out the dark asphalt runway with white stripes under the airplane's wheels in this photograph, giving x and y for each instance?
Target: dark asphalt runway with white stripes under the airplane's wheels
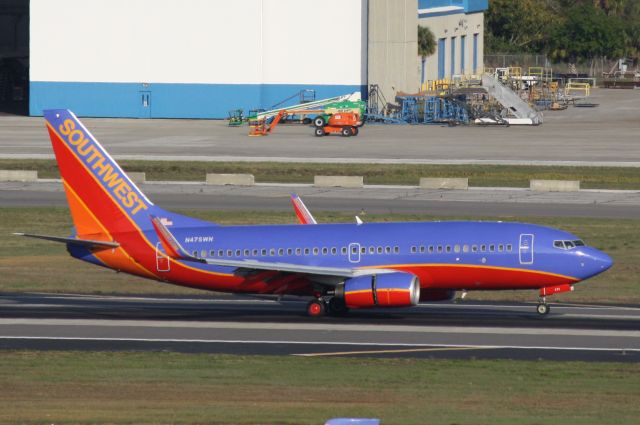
(237, 325)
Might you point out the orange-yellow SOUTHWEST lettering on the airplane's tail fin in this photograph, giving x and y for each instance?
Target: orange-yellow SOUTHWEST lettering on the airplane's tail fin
(102, 167)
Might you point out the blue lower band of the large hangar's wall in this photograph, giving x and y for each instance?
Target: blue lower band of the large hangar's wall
(168, 100)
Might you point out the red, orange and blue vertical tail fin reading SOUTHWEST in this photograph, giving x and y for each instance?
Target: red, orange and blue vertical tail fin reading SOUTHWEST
(102, 199)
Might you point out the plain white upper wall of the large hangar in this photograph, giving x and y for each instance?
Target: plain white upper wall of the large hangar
(199, 41)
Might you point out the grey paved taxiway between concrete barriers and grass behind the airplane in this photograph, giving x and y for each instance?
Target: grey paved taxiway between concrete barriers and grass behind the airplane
(400, 200)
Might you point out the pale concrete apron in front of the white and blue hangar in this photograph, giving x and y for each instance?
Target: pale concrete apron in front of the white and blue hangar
(603, 135)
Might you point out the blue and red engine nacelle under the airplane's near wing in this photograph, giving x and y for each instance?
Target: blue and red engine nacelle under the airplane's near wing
(381, 290)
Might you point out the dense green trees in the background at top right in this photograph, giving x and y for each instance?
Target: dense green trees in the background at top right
(573, 31)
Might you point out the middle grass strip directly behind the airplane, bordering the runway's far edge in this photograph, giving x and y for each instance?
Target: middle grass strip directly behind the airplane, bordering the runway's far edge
(29, 265)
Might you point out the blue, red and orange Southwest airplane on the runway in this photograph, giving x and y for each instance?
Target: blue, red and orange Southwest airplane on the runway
(337, 266)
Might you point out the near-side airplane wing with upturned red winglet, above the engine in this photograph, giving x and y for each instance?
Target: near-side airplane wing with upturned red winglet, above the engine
(174, 250)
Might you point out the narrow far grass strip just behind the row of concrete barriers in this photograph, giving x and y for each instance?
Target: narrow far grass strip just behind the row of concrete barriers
(400, 174)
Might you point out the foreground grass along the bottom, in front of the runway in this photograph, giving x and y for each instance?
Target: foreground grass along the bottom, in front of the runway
(169, 388)
